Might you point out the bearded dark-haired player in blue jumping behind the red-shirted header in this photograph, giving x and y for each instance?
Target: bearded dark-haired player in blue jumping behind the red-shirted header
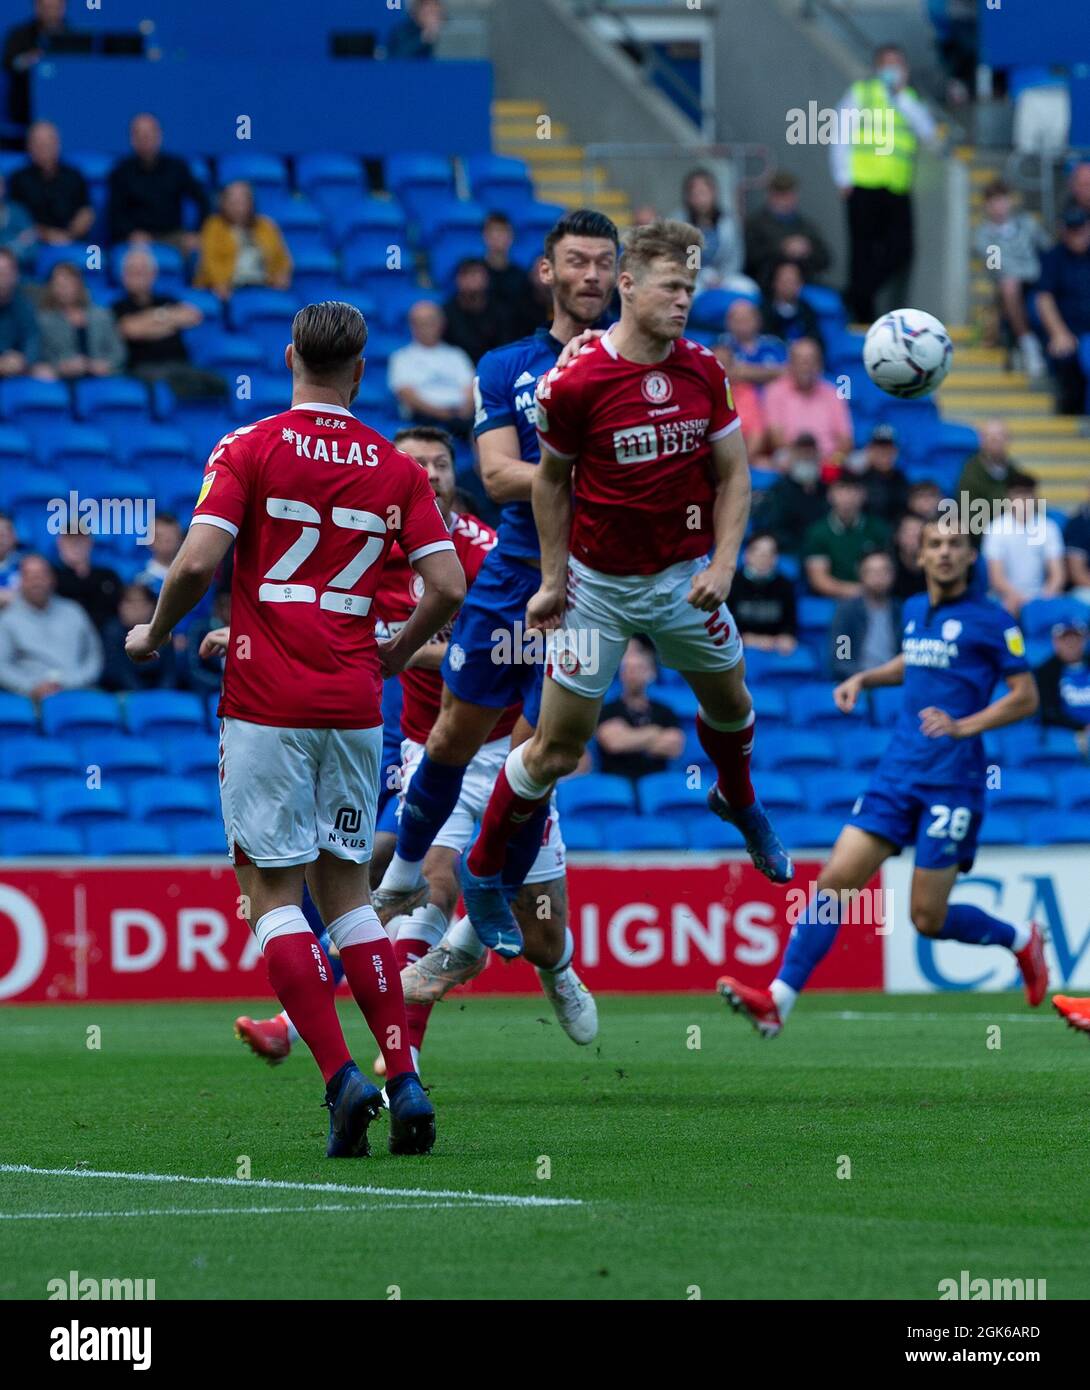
(580, 265)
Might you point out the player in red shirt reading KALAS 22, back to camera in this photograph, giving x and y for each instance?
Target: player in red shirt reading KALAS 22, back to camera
(314, 502)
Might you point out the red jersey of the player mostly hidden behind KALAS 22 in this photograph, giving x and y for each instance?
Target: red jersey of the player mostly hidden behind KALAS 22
(400, 594)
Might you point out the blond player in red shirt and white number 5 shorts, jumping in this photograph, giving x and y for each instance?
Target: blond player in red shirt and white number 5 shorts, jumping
(643, 475)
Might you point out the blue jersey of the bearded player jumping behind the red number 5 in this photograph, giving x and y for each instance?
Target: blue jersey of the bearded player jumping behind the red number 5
(504, 395)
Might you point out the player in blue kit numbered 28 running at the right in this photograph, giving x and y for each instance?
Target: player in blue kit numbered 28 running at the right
(931, 786)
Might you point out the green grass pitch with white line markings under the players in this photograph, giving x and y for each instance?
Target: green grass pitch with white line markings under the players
(713, 1168)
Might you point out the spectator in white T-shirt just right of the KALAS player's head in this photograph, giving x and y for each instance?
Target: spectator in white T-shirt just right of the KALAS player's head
(432, 380)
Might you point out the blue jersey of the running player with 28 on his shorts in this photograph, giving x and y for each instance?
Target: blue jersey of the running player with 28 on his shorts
(954, 654)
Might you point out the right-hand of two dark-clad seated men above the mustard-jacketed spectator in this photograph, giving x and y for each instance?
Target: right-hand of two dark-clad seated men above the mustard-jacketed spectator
(149, 191)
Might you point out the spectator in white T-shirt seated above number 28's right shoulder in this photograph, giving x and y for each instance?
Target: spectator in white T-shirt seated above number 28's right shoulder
(1024, 550)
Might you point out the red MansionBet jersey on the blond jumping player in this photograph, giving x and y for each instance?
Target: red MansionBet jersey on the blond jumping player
(644, 484)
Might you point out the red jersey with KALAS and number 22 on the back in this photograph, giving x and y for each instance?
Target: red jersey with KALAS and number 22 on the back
(316, 501)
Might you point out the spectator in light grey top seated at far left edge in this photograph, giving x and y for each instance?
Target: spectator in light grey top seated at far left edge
(47, 644)
